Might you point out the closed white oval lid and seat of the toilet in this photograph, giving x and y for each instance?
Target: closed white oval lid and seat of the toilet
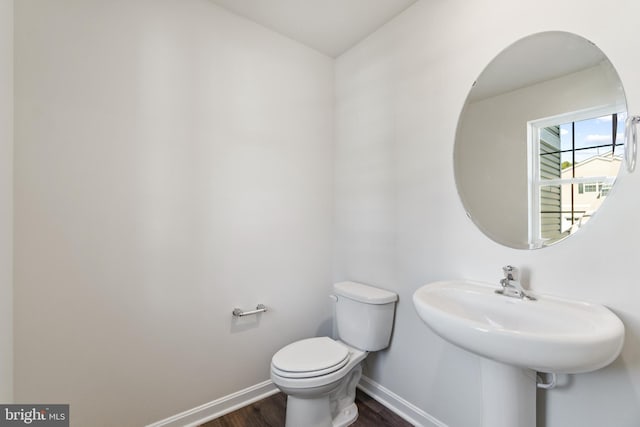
(308, 358)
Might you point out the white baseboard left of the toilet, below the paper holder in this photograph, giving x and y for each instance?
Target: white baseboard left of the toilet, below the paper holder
(219, 407)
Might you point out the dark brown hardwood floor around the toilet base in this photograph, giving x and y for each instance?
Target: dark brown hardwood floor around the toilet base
(270, 412)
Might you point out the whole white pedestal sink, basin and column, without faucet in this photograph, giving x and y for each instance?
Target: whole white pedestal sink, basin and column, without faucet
(517, 337)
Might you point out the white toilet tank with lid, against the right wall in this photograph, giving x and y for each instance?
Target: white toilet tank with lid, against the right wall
(364, 315)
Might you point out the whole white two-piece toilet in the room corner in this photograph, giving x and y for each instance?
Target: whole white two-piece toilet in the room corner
(319, 375)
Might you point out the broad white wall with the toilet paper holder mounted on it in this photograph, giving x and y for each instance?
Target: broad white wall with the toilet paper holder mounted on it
(173, 161)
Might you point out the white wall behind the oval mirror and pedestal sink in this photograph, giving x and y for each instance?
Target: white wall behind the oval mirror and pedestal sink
(400, 224)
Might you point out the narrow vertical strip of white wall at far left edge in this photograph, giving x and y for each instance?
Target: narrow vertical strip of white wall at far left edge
(6, 200)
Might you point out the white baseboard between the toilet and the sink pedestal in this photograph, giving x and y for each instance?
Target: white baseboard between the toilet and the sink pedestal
(406, 410)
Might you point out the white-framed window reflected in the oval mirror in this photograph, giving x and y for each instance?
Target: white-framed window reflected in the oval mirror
(575, 159)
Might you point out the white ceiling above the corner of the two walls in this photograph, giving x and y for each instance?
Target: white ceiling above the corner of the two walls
(329, 26)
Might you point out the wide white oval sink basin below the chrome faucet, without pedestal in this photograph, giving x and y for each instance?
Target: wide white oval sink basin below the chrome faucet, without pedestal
(547, 335)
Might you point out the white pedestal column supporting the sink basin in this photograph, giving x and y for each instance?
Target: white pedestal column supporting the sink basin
(508, 395)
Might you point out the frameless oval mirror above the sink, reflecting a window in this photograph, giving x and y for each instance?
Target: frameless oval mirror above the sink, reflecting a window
(540, 140)
